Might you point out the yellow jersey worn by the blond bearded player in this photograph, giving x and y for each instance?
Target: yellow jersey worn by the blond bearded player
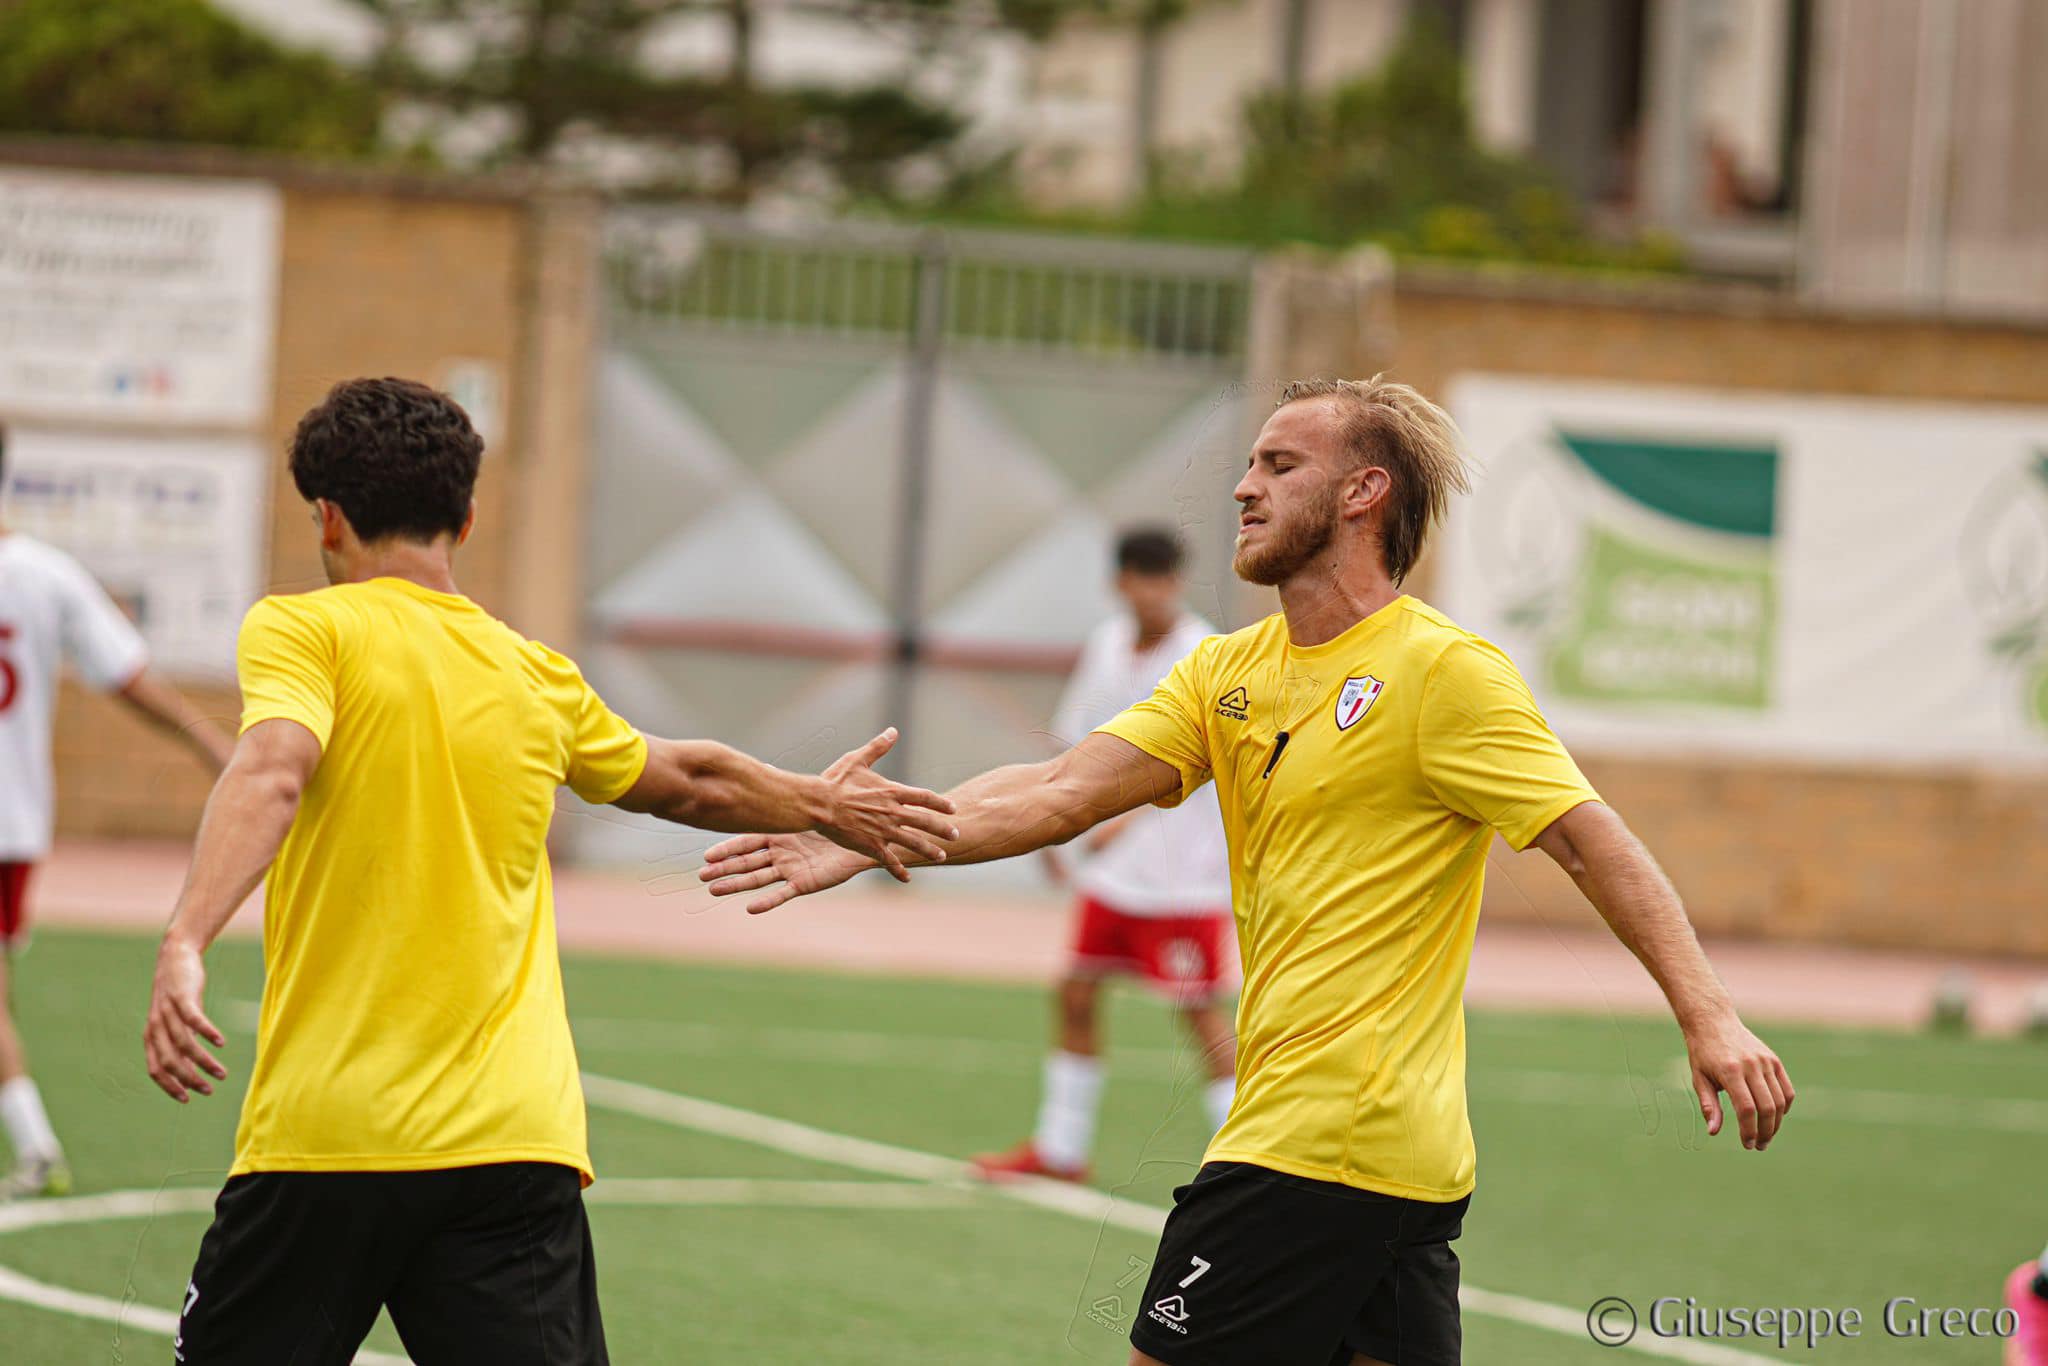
(1357, 861)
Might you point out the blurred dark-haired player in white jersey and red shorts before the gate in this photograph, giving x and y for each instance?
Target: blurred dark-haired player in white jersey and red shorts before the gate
(1154, 894)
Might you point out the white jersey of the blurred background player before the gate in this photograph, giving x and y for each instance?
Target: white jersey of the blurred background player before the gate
(1166, 861)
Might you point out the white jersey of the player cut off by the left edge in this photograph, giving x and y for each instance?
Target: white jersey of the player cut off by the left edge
(50, 611)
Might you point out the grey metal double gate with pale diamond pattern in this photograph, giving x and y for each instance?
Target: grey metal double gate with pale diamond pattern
(855, 476)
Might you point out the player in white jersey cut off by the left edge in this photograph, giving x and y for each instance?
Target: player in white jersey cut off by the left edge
(52, 611)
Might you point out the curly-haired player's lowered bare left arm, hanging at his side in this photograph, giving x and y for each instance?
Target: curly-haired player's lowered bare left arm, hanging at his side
(247, 822)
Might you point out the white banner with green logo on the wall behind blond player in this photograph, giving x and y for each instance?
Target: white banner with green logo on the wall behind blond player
(1795, 577)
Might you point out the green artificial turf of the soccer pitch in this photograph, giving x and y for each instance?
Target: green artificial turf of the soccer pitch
(1908, 1170)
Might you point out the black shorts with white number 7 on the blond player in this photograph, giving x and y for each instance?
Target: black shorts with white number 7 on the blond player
(1263, 1269)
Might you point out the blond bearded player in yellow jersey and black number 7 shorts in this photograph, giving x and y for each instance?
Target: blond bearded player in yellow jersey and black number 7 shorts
(1365, 753)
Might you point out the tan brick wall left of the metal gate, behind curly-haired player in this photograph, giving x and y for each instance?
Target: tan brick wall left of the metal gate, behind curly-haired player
(384, 275)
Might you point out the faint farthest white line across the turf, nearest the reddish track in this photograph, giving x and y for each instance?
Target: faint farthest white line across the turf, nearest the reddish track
(1519, 1084)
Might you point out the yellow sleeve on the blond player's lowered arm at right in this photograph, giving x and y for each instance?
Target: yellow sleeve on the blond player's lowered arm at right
(1486, 749)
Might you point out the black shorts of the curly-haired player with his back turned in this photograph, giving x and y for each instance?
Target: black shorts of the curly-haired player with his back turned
(478, 1265)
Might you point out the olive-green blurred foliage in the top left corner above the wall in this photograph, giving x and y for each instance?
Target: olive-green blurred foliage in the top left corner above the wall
(173, 71)
